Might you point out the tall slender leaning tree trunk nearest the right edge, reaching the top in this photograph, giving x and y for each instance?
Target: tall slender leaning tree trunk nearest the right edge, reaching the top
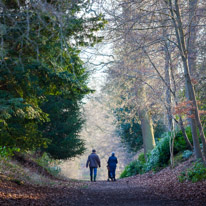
(188, 84)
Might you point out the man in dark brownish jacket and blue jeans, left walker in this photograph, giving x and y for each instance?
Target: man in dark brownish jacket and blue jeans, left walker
(93, 162)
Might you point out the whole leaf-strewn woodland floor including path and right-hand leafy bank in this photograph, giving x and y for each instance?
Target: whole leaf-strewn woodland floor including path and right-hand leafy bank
(149, 189)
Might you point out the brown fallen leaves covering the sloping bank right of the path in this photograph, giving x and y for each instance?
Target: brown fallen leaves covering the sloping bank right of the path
(165, 183)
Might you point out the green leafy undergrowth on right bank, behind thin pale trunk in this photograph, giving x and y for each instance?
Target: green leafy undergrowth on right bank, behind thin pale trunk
(159, 157)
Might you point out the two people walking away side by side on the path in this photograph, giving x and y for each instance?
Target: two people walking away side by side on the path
(93, 162)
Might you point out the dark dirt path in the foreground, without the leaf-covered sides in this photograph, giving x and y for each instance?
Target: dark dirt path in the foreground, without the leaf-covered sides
(119, 193)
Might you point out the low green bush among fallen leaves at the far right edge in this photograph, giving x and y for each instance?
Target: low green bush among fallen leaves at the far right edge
(194, 174)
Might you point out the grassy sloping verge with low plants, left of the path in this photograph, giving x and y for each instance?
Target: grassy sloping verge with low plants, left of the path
(34, 172)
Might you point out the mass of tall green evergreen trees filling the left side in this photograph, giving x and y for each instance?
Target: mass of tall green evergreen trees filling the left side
(42, 79)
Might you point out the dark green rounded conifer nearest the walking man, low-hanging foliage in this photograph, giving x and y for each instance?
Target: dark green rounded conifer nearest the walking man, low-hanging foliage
(63, 128)
